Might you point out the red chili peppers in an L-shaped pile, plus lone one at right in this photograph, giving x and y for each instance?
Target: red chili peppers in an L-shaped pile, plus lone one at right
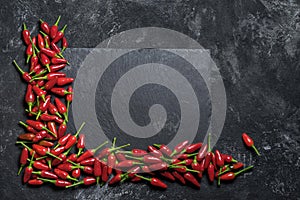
(47, 154)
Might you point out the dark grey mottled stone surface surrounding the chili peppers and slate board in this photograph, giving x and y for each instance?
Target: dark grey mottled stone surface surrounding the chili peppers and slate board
(254, 43)
